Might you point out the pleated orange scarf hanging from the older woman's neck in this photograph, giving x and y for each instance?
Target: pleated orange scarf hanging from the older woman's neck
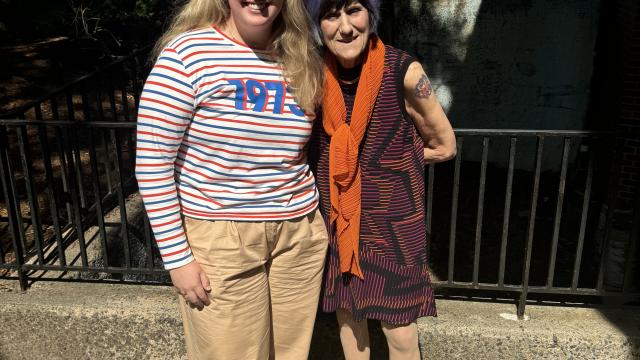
(344, 171)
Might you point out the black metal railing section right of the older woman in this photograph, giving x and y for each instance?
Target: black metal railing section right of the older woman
(525, 211)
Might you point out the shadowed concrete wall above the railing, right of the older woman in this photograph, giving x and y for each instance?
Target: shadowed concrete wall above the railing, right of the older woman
(502, 63)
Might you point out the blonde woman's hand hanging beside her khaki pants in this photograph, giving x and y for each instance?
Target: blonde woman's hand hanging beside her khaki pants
(192, 283)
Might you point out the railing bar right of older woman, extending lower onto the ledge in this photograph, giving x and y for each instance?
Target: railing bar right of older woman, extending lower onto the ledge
(531, 227)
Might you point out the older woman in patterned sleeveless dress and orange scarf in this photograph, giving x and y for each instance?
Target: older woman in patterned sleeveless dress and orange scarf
(380, 123)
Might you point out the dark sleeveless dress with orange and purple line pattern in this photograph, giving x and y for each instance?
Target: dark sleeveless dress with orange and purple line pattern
(396, 286)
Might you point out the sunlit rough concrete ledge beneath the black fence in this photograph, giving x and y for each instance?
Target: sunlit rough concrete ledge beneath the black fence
(59, 320)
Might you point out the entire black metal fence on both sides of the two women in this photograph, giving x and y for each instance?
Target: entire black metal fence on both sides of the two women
(519, 211)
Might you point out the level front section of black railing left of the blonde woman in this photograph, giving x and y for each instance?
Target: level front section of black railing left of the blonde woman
(66, 190)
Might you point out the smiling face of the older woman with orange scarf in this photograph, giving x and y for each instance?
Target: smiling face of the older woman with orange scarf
(345, 32)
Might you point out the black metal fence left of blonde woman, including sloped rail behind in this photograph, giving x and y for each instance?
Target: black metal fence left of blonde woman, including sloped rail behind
(67, 163)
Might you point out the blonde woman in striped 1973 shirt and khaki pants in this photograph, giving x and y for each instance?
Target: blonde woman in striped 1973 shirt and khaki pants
(223, 121)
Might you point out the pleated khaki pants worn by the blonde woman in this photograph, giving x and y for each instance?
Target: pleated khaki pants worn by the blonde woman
(265, 279)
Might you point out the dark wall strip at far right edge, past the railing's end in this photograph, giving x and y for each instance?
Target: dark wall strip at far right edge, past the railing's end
(621, 81)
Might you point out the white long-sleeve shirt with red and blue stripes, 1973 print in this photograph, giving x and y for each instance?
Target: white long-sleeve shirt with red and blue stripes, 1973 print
(219, 137)
